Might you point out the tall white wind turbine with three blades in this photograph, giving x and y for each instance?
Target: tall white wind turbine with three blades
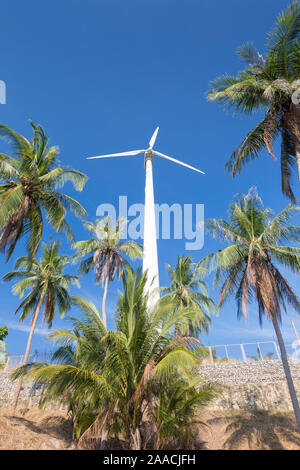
(150, 261)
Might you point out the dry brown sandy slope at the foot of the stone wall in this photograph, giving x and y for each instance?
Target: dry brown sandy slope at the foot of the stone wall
(36, 429)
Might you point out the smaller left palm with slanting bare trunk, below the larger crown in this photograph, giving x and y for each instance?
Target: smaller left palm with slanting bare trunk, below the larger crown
(49, 288)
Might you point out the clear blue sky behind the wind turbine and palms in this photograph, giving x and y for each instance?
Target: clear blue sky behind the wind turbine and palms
(100, 75)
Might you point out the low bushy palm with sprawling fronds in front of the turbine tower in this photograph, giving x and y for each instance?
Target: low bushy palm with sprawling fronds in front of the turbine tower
(113, 379)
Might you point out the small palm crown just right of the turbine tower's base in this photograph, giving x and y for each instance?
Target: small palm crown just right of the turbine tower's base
(187, 289)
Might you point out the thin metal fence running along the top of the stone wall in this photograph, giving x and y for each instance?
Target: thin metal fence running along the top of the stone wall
(215, 354)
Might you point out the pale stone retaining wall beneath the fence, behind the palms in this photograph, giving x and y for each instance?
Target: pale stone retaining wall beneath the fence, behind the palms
(243, 385)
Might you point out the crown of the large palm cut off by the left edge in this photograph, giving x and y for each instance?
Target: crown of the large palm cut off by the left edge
(29, 183)
